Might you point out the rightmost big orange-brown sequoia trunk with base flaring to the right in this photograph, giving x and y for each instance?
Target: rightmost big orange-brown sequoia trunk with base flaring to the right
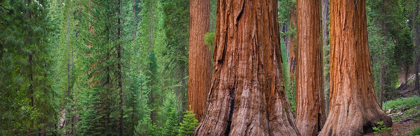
(354, 107)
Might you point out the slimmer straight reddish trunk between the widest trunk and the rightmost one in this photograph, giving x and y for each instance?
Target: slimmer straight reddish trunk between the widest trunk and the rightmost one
(309, 93)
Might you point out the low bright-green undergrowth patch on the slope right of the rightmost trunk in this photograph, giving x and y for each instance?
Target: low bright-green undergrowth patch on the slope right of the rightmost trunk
(402, 103)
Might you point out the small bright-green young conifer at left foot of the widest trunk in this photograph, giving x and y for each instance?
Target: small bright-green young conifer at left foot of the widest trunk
(188, 124)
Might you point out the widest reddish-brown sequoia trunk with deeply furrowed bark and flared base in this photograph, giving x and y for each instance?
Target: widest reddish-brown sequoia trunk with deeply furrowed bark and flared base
(247, 95)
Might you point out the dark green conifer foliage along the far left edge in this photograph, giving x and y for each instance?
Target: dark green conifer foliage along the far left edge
(27, 97)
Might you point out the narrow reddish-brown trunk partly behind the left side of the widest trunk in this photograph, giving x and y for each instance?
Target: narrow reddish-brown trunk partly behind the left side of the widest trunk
(199, 70)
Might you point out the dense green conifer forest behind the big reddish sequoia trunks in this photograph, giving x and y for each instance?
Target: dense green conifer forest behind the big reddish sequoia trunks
(120, 67)
